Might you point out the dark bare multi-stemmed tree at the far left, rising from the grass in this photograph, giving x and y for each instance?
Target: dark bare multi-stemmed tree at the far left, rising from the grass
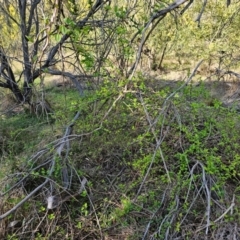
(37, 21)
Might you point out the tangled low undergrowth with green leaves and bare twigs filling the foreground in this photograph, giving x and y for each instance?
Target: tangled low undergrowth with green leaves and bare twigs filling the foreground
(156, 168)
